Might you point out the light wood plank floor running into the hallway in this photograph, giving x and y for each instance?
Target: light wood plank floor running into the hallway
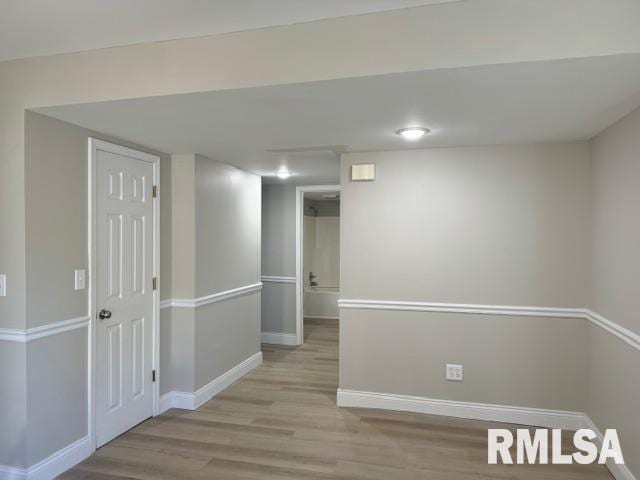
(281, 421)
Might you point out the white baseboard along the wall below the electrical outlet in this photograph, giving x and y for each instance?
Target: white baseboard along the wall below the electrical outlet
(476, 411)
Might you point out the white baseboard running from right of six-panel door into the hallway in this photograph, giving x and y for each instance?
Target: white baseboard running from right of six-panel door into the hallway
(192, 401)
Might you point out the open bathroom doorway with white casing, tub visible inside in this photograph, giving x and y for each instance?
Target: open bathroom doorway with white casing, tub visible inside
(317, 254)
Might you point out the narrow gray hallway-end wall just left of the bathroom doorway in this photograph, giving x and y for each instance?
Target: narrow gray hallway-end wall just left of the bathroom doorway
(279, 257)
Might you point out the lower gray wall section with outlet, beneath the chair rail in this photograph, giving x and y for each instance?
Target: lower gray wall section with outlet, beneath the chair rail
(508, 360)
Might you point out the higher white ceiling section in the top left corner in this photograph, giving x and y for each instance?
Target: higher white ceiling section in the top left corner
(42, 27)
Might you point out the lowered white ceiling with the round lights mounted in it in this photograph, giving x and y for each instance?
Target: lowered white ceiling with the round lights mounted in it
(515, 103)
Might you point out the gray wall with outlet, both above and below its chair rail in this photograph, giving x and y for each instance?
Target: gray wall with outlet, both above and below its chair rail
(489, 225)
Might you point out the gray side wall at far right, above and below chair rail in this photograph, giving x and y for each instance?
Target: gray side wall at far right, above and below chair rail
(614, 396)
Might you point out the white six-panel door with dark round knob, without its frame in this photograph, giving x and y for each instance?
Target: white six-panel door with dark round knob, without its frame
(123, 291)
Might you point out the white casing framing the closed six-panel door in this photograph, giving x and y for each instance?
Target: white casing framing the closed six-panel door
(94, 145)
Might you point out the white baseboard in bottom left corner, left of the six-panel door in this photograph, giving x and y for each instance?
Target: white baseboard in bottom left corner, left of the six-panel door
(53, 465)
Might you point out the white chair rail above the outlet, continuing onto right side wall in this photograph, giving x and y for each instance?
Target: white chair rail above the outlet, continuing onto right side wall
(624, 334)
